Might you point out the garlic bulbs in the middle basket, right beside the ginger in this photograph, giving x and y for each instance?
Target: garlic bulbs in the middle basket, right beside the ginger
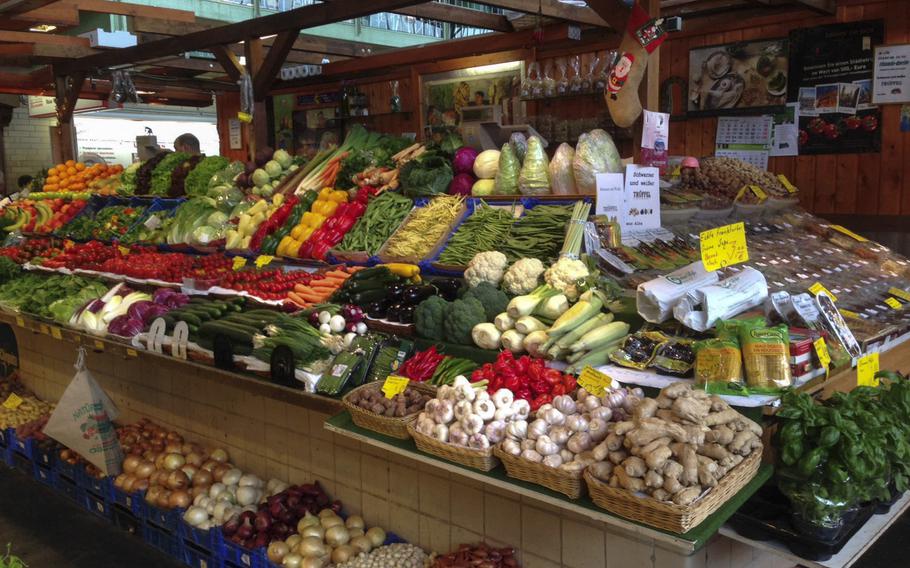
(563, 433)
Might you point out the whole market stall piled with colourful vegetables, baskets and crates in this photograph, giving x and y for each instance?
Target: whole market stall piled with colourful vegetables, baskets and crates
(473, 299)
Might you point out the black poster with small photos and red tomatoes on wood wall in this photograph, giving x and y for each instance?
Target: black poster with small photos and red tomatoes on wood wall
(831, 72)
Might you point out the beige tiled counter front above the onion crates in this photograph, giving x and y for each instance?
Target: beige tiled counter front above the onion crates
(423, 504)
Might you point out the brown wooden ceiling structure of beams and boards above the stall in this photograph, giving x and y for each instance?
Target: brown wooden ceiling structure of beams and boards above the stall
(182, 59)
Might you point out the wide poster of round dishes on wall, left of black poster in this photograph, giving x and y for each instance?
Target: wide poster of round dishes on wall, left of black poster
(746, 76)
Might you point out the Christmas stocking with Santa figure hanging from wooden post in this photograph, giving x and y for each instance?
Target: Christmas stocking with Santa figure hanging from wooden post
(643, 35)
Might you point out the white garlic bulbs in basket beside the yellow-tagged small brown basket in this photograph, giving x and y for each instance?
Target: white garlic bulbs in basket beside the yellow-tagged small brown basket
(464, 416)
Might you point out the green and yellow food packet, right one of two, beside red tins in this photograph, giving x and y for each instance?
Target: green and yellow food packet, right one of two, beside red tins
(766, 355)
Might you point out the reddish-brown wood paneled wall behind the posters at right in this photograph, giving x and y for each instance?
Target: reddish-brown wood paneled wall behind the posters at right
(864, 184)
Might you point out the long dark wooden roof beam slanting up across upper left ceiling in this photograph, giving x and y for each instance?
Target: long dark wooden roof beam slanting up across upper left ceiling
(296, 19)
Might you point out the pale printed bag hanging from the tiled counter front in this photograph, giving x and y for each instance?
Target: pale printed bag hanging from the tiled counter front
(84, 421)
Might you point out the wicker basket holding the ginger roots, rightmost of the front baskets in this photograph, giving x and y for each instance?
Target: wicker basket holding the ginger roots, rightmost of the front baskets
(669, 516)
